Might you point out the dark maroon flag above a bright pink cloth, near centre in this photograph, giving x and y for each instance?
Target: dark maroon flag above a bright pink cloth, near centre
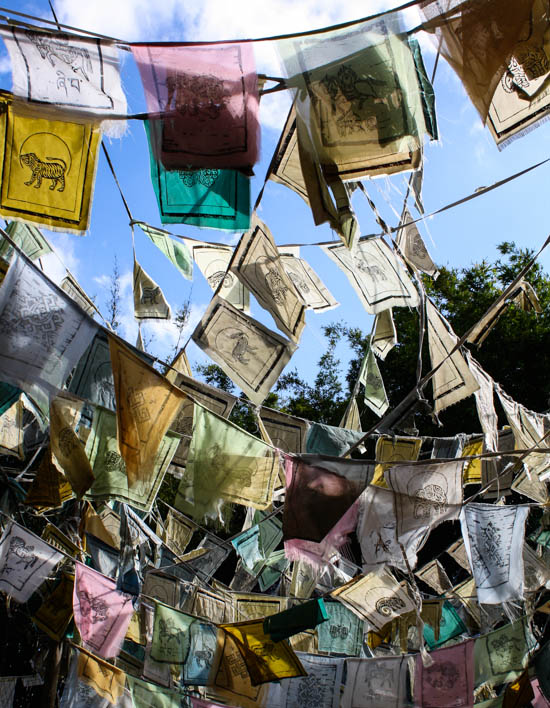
(317, 498)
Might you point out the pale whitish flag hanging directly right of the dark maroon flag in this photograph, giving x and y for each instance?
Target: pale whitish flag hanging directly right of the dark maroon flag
(377, 532)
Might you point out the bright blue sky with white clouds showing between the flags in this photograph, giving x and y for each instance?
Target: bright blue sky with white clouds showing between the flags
(464, 159)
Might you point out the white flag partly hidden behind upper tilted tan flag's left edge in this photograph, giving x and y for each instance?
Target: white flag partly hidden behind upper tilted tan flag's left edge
(213, 261)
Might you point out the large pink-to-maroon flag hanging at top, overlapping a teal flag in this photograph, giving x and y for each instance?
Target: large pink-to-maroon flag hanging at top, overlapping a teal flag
(208, 98)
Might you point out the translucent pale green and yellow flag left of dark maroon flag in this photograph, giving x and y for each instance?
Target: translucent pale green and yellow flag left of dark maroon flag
(225, 463)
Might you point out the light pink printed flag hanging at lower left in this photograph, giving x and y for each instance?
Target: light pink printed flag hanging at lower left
(101, 613)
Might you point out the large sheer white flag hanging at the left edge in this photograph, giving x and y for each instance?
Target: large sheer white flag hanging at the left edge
(43, 332)
